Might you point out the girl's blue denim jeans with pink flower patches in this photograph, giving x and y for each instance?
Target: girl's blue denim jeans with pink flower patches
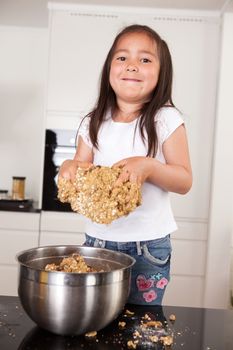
(150, 273)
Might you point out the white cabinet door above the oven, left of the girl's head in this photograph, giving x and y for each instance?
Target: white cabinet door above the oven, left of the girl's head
(78, 45)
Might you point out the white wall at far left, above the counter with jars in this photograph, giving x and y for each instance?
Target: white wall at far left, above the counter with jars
(23, 68)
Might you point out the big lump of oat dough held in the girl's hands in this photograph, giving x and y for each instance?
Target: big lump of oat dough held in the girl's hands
(94, 194)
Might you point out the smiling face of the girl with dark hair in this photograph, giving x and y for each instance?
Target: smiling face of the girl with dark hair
(134, 68)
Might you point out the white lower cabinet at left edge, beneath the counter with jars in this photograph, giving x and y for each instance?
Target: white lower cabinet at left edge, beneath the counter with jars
(18, 232)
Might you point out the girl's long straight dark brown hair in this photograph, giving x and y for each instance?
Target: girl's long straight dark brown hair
(161, 96)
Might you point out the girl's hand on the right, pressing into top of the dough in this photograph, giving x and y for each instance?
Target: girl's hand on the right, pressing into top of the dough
(135, 169)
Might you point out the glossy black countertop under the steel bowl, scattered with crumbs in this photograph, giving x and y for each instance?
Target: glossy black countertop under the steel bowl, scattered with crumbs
(193, 329)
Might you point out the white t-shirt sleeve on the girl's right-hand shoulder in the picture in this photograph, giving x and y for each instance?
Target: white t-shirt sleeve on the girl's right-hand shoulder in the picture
(168, 120)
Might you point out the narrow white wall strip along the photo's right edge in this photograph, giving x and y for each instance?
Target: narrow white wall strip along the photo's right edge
(221, 203)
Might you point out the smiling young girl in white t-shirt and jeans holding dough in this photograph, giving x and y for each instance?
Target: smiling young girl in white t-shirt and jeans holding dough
(135, 125)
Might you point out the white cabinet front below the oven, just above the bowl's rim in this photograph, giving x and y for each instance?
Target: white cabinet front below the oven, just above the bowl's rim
(61, 228)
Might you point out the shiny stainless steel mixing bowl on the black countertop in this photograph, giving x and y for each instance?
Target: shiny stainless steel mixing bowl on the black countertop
(73, 303)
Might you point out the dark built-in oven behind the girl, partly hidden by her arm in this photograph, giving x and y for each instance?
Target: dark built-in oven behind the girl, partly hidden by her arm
(59, 146)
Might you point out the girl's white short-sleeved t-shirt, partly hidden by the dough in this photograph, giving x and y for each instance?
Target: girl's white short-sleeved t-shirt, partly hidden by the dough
(153, 218)
